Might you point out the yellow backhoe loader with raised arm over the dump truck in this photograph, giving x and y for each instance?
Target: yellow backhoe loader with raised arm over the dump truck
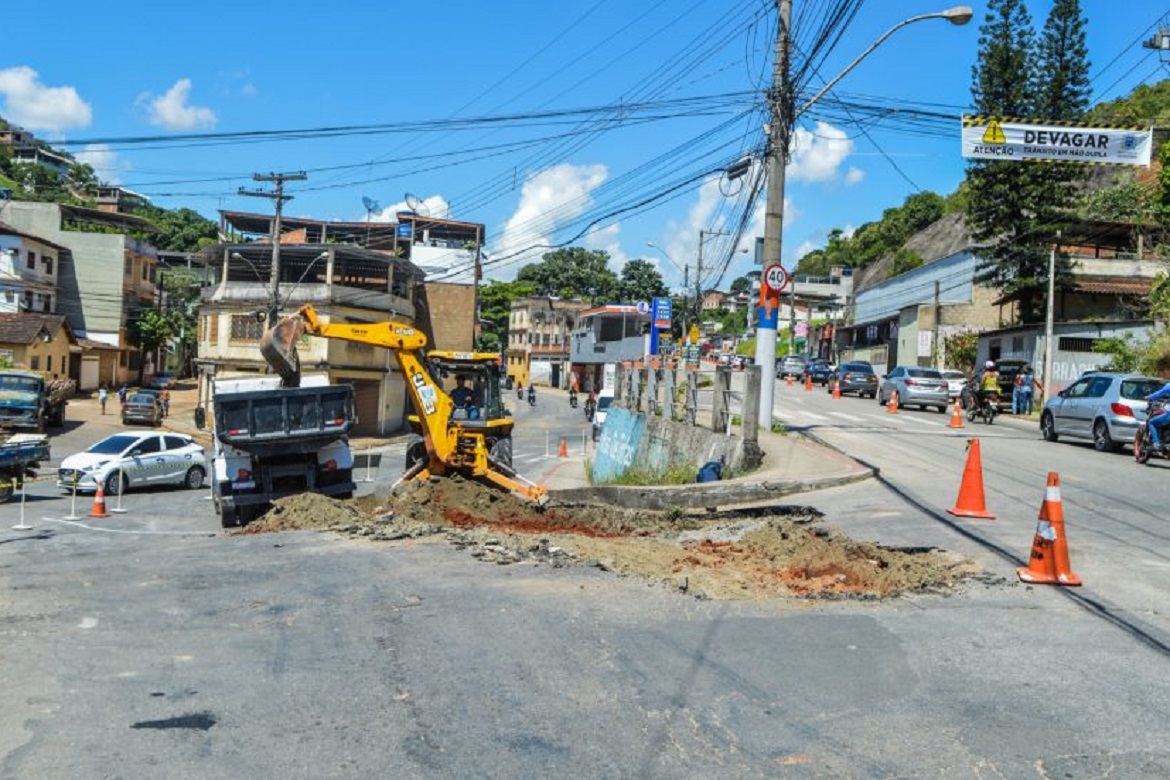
(465, 432)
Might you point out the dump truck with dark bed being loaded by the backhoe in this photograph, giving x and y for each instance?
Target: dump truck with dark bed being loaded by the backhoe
(273, 441)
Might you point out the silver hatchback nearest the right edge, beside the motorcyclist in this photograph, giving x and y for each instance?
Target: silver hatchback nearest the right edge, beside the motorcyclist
(1105, 408)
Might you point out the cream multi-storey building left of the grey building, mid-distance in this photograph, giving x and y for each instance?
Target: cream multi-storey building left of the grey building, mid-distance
(539, 340)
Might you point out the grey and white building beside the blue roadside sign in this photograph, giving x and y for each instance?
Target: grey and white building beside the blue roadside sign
(607, 336)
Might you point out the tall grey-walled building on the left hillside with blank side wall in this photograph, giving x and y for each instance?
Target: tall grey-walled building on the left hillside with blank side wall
(105, 279)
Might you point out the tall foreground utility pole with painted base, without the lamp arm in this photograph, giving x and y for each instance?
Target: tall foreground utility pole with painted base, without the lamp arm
(780, 102)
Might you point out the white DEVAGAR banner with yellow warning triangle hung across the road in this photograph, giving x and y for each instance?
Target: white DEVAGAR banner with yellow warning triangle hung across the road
(993, 139)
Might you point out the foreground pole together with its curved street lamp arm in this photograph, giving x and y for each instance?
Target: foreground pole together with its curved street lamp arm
(780, 130)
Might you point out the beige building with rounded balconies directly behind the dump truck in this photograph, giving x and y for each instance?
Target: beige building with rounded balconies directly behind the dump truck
(346, 285)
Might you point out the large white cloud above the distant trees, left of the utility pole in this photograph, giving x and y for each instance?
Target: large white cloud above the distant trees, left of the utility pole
(548, 201)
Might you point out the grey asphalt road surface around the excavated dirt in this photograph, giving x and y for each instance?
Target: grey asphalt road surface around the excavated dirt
(150, 645)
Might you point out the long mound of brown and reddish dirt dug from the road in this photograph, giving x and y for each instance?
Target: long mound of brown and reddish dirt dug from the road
(780, 551)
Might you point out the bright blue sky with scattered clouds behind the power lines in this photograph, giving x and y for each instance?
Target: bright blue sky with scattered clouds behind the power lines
(605, 115)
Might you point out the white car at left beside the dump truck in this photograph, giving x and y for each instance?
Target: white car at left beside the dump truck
(135, 460)
